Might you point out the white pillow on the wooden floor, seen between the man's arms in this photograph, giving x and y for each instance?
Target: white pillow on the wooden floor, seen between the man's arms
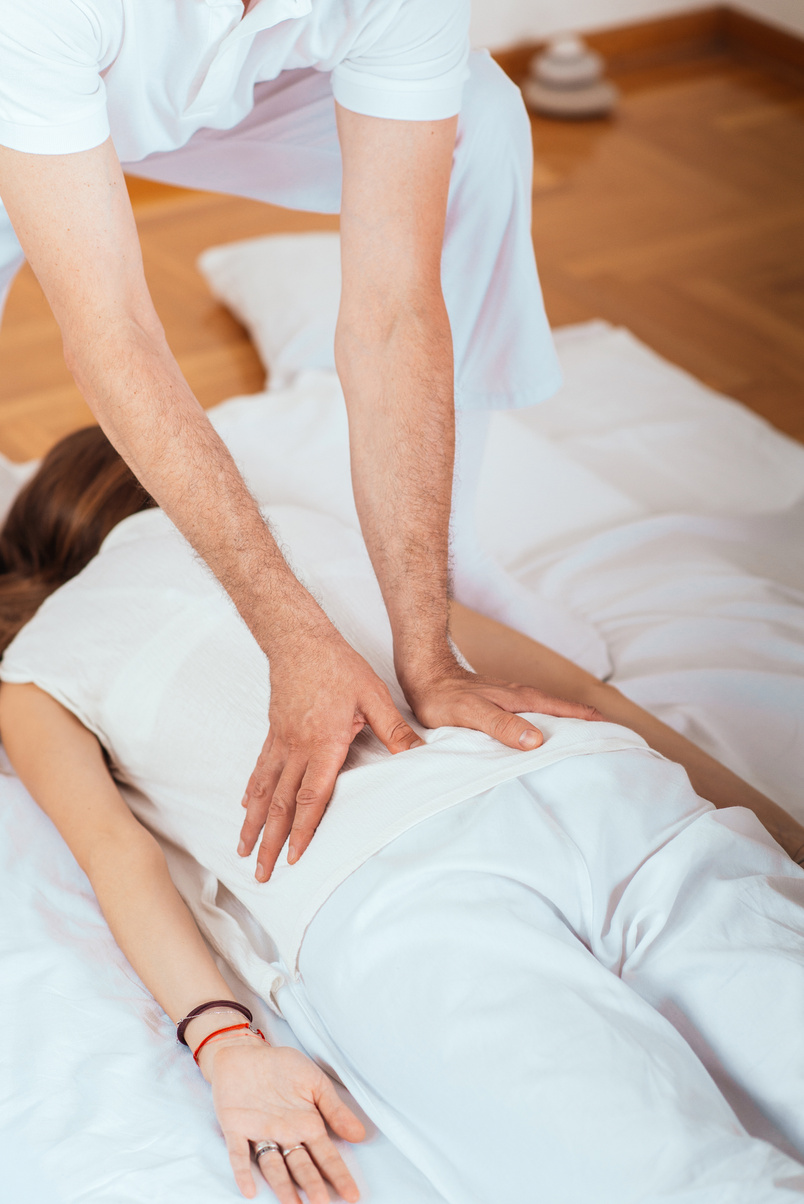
(286, 290)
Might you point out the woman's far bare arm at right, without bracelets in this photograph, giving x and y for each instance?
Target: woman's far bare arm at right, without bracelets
(500, 652)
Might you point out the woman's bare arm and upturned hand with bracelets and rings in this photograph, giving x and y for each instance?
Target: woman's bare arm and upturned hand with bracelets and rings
(259, 1091)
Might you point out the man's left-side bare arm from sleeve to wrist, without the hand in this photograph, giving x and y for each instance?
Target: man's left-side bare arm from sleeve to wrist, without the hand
(74, 219)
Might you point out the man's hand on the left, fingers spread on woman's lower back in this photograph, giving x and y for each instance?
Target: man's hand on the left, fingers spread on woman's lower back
(323, 693)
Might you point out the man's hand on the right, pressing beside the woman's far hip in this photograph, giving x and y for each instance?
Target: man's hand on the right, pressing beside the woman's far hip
(457, 698)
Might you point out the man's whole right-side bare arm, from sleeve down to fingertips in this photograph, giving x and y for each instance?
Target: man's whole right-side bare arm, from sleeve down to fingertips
(394, 355)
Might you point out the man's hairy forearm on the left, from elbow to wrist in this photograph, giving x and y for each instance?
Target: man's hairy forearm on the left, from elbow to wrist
(144, 404)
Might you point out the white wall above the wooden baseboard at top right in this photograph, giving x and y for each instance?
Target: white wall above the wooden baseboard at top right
(499, 23)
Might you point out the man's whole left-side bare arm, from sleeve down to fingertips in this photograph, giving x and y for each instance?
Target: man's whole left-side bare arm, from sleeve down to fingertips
(74, 220)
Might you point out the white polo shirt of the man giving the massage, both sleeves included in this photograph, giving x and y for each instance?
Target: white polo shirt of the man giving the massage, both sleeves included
(152, 73)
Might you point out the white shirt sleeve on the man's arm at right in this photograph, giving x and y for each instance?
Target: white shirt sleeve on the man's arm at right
(411, 68)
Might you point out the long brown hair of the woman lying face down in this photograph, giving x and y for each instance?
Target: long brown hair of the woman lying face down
(60, 521)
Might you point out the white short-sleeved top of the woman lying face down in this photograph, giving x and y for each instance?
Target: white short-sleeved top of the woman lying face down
(149, 652)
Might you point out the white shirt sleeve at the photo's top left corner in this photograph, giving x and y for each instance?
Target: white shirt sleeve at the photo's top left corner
(52, 96)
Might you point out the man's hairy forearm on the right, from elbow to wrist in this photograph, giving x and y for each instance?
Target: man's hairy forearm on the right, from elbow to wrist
(398, 379)
